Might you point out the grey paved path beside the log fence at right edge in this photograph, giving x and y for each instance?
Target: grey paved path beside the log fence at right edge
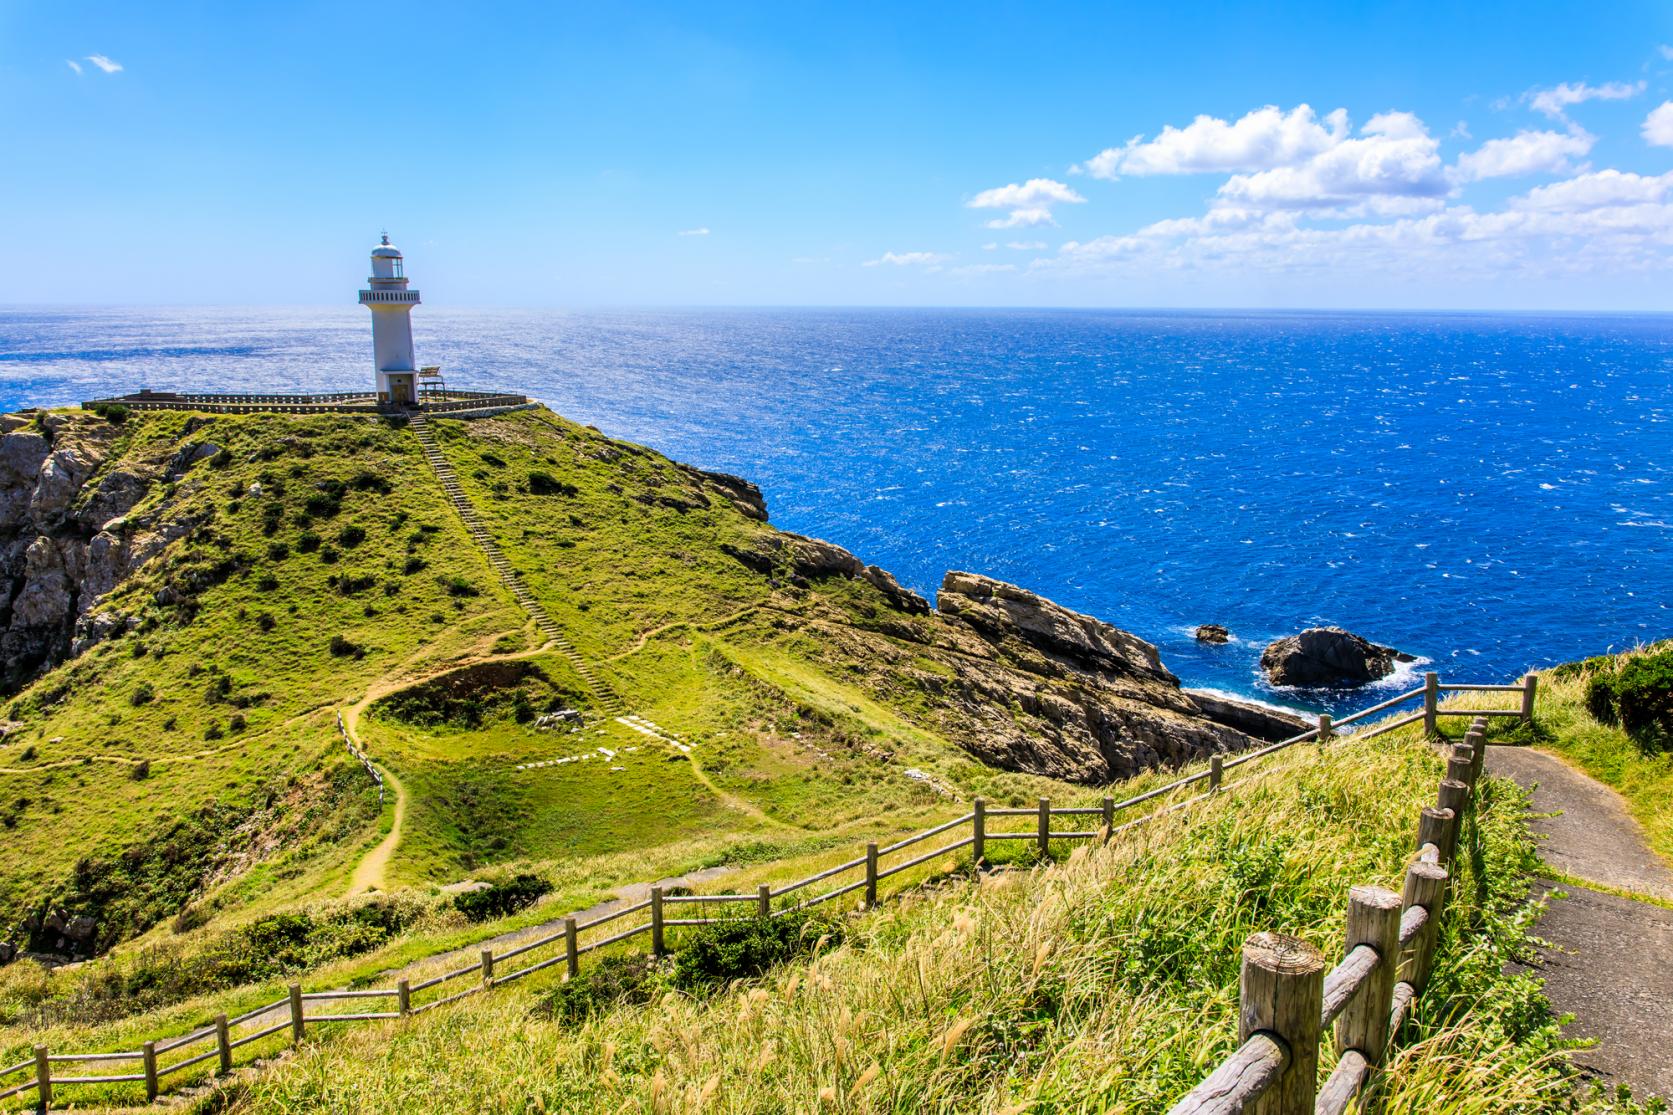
(1612, 958)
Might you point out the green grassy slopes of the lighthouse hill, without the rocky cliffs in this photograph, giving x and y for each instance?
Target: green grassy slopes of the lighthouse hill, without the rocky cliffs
(195, 761)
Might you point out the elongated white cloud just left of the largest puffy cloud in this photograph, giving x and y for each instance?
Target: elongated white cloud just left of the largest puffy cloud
(1257, 141)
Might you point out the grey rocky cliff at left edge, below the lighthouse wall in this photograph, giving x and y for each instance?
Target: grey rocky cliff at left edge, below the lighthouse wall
(64, 542)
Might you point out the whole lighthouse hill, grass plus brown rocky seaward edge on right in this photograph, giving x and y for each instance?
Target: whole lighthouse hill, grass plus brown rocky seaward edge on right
(180, 766)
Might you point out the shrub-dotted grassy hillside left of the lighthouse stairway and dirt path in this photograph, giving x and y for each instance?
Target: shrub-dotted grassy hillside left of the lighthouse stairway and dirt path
(220, 706)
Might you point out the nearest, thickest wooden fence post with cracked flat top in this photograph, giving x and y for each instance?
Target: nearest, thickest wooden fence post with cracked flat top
(1282, 992)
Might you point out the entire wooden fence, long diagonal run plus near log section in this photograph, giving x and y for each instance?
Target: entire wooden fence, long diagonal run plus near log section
(1276, 974)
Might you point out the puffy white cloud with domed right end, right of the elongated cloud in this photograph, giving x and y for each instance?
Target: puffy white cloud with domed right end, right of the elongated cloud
(1394, 165)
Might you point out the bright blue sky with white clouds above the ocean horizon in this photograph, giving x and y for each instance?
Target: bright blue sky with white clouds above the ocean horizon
(1398, 155)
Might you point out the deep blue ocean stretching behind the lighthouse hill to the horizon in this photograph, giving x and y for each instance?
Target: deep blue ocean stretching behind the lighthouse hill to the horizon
(1488, 493)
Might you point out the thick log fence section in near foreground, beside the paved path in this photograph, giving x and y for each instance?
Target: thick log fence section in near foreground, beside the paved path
(1287, 999)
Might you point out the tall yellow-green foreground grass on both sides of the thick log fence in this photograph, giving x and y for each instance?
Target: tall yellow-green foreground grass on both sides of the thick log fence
(1107, 982)
